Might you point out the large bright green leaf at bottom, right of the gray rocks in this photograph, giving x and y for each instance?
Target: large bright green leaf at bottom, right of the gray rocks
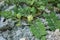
(38, 29)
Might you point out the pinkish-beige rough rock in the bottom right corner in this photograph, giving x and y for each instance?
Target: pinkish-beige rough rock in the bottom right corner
(53, 35)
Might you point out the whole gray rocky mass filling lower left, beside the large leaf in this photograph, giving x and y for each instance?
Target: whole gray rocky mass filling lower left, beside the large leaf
(17, 33)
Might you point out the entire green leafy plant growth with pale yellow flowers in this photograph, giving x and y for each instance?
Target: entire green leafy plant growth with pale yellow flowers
(31, 9)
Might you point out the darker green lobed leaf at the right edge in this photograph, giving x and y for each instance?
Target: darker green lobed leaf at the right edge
(52, 20)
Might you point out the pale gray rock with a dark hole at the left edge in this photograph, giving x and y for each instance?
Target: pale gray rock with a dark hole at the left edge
(6, 24)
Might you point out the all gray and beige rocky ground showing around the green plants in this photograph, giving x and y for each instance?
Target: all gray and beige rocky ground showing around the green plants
(8, 30)
